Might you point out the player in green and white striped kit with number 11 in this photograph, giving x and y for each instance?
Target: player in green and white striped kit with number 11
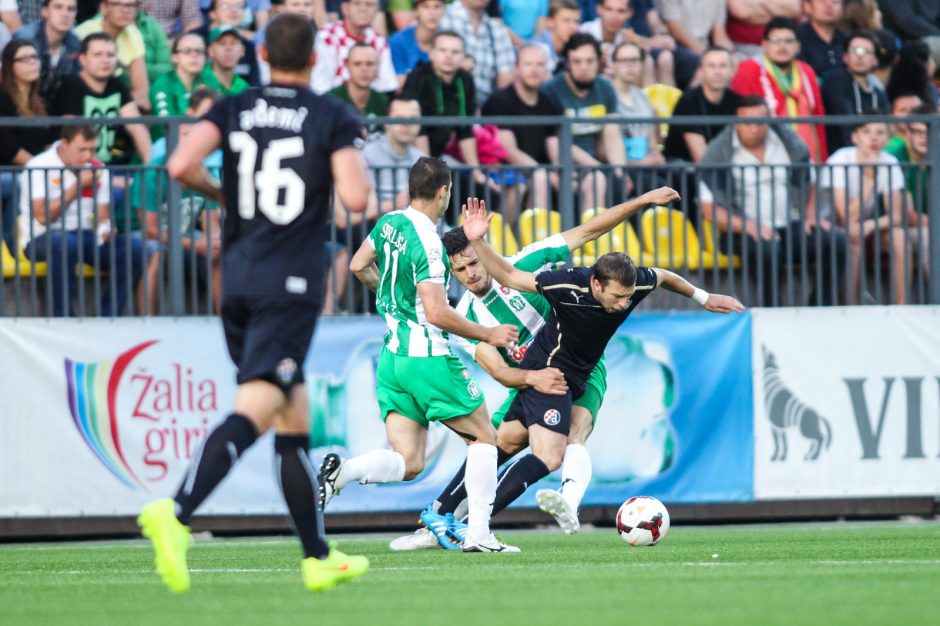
(419, 378)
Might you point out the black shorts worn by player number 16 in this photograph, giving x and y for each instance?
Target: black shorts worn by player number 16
(268, 338)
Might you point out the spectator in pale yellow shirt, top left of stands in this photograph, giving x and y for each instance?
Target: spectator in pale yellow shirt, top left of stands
(117, 19)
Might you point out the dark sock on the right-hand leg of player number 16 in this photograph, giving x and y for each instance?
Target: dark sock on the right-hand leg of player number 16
(298, 481)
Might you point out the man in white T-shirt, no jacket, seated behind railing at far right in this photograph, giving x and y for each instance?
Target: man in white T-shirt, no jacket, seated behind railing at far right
(869, 198)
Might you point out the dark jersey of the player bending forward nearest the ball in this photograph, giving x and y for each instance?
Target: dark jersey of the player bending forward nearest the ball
(578, 329)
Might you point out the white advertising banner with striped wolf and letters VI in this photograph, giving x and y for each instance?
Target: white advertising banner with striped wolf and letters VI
(846, 402)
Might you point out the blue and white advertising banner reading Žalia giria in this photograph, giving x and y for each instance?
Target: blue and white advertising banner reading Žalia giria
(102, 416)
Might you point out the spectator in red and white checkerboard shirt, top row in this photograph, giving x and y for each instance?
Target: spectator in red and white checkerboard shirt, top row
(336, 39)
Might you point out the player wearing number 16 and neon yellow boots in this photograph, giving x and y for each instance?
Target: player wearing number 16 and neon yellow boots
(284, 150)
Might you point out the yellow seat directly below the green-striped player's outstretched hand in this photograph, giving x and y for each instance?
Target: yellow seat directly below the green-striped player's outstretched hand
(670, 239)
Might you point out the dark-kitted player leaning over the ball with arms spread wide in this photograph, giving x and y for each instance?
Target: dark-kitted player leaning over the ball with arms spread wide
(588, 306)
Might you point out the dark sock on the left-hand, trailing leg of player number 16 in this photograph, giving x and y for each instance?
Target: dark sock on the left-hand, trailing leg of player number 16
(212, 463)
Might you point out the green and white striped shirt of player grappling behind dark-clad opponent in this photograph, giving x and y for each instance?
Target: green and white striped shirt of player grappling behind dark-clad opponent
(502, 305)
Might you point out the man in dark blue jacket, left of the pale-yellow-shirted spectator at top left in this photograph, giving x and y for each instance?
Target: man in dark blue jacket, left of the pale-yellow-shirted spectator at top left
(57, 45)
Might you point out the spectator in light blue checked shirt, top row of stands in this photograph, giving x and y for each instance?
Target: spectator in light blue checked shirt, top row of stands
(486, 41)
